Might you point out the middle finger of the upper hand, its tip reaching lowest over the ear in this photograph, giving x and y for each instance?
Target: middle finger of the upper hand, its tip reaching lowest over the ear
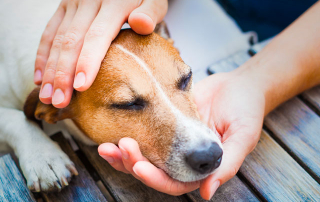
(70, 50)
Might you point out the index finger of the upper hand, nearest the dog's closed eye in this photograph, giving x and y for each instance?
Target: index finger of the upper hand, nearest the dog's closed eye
(98, 39)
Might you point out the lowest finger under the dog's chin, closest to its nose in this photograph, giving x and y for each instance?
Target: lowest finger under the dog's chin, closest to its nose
(159, 180)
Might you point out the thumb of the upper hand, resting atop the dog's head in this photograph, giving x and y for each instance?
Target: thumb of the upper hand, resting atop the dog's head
(143, 19)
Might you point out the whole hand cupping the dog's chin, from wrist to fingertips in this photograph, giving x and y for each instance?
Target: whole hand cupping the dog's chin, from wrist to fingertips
(228, 103)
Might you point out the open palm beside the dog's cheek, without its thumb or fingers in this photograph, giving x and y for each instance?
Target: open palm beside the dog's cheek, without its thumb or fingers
(228, 105)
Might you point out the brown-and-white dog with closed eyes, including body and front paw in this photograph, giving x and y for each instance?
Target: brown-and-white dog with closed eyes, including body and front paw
(143, 90)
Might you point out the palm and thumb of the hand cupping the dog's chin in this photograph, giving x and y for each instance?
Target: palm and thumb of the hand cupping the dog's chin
(228, 104)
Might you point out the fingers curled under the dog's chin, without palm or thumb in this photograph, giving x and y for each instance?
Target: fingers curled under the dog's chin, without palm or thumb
(127, 158)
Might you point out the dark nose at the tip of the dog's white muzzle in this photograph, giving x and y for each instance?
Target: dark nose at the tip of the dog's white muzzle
(205, 159)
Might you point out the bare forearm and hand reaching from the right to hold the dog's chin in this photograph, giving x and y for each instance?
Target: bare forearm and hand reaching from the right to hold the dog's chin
(235, 103)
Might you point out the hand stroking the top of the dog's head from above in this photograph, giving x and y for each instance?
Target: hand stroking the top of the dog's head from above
(77, 38)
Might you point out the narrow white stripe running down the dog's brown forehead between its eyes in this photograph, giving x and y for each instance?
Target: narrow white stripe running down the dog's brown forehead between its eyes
(145, 67)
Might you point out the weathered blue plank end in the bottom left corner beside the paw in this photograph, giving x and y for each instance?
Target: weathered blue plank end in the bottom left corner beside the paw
(12, 184)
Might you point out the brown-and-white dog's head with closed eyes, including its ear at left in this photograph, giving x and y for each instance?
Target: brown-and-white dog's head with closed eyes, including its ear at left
(144, 91)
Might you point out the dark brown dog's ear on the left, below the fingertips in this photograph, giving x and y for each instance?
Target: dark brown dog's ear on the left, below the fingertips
(34, 109)
